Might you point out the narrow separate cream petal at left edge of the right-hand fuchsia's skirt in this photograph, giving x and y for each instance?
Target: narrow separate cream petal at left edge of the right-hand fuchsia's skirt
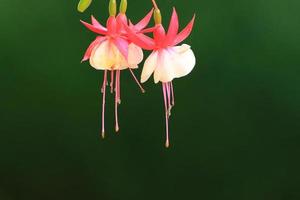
(149, 66)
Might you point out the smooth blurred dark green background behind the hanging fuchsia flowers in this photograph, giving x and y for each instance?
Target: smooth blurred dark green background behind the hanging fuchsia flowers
(235, 130)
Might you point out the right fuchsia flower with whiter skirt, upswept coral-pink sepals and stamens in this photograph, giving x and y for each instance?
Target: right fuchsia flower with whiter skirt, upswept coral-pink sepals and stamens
(167, 61)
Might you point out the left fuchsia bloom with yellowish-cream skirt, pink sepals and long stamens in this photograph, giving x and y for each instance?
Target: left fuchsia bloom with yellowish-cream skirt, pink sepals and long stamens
(113, 51)
